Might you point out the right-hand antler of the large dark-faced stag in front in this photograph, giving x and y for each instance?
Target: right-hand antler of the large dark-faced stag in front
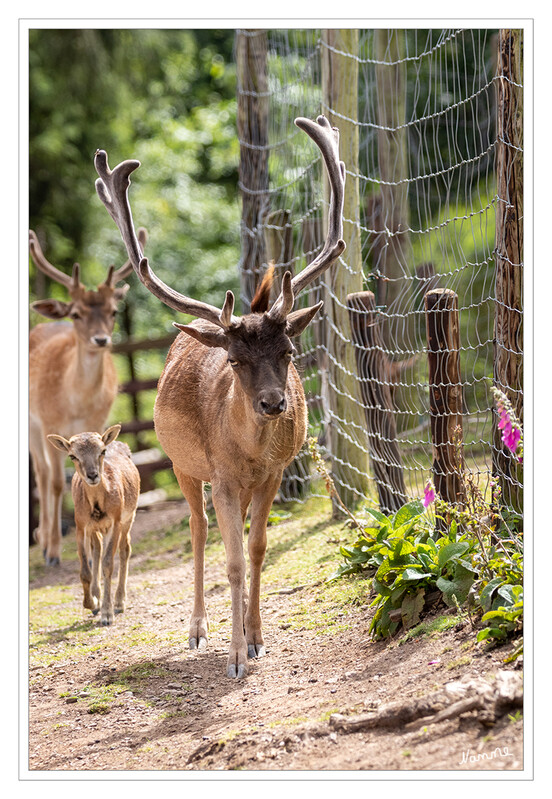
(327, 140)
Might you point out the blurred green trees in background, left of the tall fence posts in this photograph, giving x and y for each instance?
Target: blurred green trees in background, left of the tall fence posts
(165, 97)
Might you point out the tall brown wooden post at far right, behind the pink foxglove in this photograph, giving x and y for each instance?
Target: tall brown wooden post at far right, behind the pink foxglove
(508, 332)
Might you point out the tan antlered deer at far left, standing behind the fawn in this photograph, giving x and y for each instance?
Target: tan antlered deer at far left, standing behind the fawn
(72, 378)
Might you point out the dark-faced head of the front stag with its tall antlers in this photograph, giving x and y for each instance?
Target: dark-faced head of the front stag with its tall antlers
(259, 345)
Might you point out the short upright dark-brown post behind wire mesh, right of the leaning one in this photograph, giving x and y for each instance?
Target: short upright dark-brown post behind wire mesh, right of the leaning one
(445, 393)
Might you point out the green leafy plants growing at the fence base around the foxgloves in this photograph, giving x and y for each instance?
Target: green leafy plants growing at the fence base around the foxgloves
(474, 558)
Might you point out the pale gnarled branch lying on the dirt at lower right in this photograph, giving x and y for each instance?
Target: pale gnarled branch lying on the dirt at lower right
(492, 699)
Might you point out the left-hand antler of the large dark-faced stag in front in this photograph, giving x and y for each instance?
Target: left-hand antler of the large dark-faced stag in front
(112, 187)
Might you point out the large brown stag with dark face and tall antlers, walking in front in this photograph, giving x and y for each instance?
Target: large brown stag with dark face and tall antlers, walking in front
(230, 407)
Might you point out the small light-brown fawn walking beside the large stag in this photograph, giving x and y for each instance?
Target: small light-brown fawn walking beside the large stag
(105, 490)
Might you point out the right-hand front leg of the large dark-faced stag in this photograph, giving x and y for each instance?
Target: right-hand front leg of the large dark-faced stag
(260, 509)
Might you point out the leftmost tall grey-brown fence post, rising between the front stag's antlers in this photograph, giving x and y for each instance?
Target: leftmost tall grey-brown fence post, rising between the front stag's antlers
(252, 81)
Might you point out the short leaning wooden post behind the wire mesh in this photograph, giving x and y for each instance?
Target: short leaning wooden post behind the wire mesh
(374, 373)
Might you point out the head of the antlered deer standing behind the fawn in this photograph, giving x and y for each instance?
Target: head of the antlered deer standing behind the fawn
(92, 312)
